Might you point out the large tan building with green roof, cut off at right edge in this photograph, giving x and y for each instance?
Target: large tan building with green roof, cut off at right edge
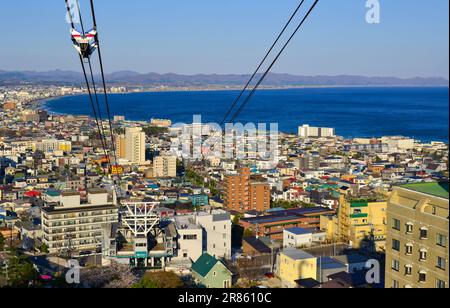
(417, 236)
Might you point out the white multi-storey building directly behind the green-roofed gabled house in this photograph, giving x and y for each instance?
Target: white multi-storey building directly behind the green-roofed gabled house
(217, 232)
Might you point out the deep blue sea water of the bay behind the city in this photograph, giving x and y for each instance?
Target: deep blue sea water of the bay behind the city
(422, 113)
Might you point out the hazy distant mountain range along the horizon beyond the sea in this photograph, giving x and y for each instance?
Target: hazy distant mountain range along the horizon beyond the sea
(129, 78)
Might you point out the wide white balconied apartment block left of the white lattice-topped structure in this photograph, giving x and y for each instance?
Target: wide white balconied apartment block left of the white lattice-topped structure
(70, 225)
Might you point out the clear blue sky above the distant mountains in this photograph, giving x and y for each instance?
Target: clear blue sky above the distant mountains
(231, 36)
